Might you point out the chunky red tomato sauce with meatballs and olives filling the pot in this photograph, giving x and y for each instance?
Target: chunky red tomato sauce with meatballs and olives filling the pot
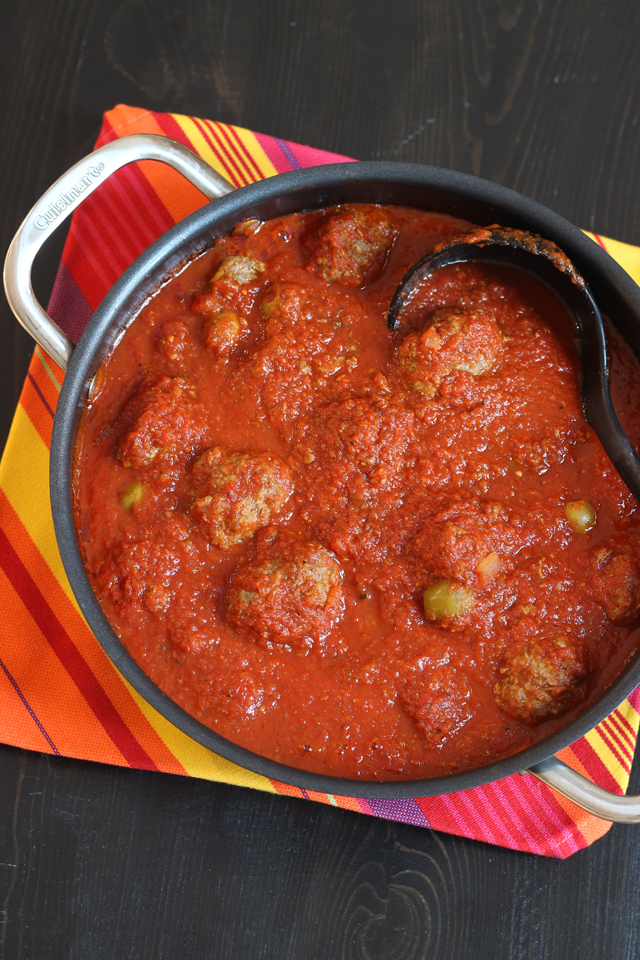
(348, 549)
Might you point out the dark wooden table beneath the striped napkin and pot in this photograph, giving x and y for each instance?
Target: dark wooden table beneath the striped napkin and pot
(540, 95)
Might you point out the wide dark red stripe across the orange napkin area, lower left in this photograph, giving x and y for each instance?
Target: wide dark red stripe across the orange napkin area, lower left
(71, 658)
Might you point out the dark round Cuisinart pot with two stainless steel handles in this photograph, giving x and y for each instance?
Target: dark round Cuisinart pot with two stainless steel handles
(372, 182)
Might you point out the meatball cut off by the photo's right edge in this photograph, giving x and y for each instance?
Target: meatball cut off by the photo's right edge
(615, 577)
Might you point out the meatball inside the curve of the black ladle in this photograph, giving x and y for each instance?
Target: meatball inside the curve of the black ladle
(466, 340)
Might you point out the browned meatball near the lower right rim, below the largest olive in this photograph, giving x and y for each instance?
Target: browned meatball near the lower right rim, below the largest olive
(540, 679)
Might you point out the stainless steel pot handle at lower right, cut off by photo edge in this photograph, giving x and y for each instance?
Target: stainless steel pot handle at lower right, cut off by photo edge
(593, 799)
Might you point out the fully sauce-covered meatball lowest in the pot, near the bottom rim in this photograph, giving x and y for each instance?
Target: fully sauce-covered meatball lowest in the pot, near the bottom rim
(438, 701)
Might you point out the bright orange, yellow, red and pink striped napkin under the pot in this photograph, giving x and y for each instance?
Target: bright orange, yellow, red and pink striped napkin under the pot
(59, 693)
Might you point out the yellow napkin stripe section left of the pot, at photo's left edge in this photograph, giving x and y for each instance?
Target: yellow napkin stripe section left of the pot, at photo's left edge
(24, 477)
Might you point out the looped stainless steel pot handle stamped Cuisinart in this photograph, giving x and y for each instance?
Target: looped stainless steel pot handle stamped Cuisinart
(60, 201)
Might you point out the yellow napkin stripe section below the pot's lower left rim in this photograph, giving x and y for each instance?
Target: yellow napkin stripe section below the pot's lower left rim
(196, 759)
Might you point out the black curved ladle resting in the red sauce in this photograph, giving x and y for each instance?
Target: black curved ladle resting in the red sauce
(542, 259)
